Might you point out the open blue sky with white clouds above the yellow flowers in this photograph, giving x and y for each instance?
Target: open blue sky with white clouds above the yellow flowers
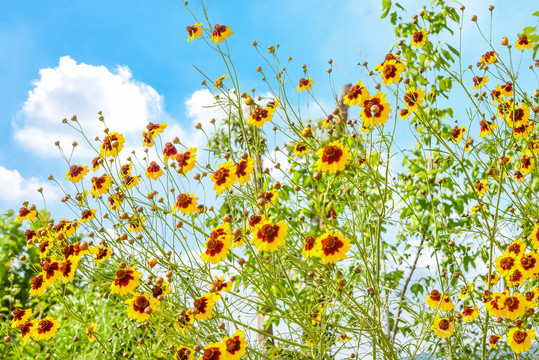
(138, 65)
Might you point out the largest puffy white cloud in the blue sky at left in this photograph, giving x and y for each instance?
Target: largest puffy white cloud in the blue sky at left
(80, 89)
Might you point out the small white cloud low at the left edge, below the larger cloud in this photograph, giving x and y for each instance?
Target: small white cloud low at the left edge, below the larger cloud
(14, 189)
